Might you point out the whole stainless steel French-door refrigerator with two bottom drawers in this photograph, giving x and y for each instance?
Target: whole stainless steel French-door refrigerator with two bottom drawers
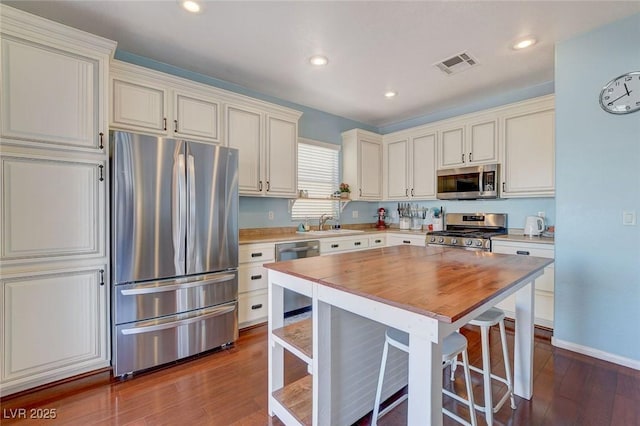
(174, 224)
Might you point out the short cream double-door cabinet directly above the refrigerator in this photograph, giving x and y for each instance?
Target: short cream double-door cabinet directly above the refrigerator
(147, 101)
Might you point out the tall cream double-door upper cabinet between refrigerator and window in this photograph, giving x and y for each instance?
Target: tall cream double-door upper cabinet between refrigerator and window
(267, 144)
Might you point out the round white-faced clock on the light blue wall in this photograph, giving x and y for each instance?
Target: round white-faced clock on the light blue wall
(622, 95)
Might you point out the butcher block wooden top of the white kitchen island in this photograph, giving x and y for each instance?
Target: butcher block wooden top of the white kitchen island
(443, 283)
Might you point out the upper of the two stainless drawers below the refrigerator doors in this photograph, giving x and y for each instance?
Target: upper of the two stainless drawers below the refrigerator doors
(140, 301)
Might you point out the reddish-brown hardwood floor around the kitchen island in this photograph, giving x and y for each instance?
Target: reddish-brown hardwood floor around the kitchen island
(229, 387)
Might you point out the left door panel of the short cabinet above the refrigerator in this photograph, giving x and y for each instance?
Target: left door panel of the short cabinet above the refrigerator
(138, 106)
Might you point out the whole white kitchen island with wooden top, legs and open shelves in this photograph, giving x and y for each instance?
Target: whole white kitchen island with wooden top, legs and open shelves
(426, 292)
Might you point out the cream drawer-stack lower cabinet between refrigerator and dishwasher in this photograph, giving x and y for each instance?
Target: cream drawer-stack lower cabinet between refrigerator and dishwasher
(253, 300)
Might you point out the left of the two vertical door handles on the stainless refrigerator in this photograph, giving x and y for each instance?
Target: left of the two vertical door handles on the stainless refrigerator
(178, 216)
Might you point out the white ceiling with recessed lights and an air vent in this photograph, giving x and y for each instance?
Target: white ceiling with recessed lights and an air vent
(372, 46)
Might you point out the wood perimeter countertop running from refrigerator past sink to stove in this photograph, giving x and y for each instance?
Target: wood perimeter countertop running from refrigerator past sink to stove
(271, 235)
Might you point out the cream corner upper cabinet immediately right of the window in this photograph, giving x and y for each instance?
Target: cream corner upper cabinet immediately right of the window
(362, 164)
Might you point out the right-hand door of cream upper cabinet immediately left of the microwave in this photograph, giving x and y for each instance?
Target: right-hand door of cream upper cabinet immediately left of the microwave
(423, 167)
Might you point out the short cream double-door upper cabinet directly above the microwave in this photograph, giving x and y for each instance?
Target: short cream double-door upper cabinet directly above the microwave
(469, 142)
